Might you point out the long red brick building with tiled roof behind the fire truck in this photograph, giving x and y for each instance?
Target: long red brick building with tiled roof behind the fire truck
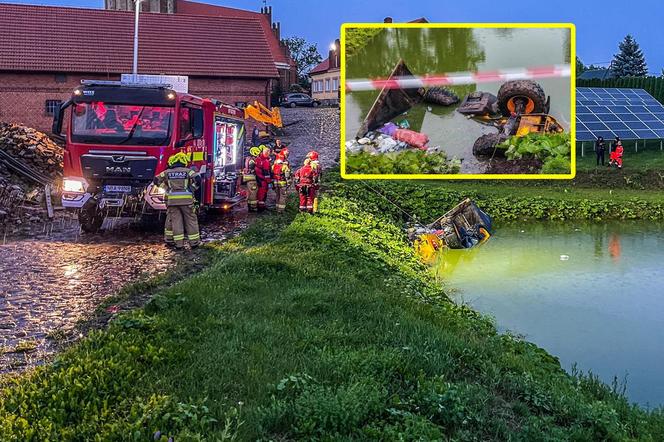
(46, 51)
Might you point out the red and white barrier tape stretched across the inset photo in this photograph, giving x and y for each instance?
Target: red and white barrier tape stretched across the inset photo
(459, 78)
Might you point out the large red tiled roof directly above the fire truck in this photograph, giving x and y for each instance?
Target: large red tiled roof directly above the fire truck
(58, 39)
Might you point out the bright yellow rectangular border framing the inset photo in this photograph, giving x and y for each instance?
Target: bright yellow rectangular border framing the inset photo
(358, 176)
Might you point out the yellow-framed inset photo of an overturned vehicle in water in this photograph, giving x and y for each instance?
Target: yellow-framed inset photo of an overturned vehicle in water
(457, 101)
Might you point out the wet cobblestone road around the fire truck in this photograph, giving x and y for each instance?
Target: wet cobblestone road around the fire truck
(53, 277)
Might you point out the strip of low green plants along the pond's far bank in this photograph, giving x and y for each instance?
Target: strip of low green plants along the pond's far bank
(508, 201)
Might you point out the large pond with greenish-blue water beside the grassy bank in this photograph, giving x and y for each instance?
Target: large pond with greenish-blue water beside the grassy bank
(589, 294)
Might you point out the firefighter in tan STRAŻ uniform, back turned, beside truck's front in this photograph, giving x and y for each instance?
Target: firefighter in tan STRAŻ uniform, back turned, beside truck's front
(180, 183)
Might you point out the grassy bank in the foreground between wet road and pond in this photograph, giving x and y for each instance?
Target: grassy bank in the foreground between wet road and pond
(319, 328)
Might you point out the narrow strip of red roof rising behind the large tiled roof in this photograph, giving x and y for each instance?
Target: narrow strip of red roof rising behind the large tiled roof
(195, 8)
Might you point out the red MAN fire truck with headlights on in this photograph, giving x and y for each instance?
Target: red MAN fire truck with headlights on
(119, 136)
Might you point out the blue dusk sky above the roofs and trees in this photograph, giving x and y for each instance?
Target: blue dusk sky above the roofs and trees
(601, 24)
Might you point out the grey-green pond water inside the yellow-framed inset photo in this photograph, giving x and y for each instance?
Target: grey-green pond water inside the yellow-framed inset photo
(435, 51)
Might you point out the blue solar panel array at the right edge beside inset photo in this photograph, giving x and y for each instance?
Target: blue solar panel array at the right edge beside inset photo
(631, 114)
